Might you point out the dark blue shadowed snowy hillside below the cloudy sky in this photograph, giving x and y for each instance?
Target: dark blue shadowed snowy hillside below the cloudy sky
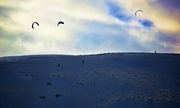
(93, 81)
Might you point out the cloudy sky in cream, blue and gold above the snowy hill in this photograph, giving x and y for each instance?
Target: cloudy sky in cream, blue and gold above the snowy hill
(90, 26)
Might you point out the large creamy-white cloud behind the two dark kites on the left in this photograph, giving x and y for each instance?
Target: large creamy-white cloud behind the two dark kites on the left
(48, 38)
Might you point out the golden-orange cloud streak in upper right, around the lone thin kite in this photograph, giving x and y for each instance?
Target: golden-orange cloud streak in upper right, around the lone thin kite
(152, 11)
